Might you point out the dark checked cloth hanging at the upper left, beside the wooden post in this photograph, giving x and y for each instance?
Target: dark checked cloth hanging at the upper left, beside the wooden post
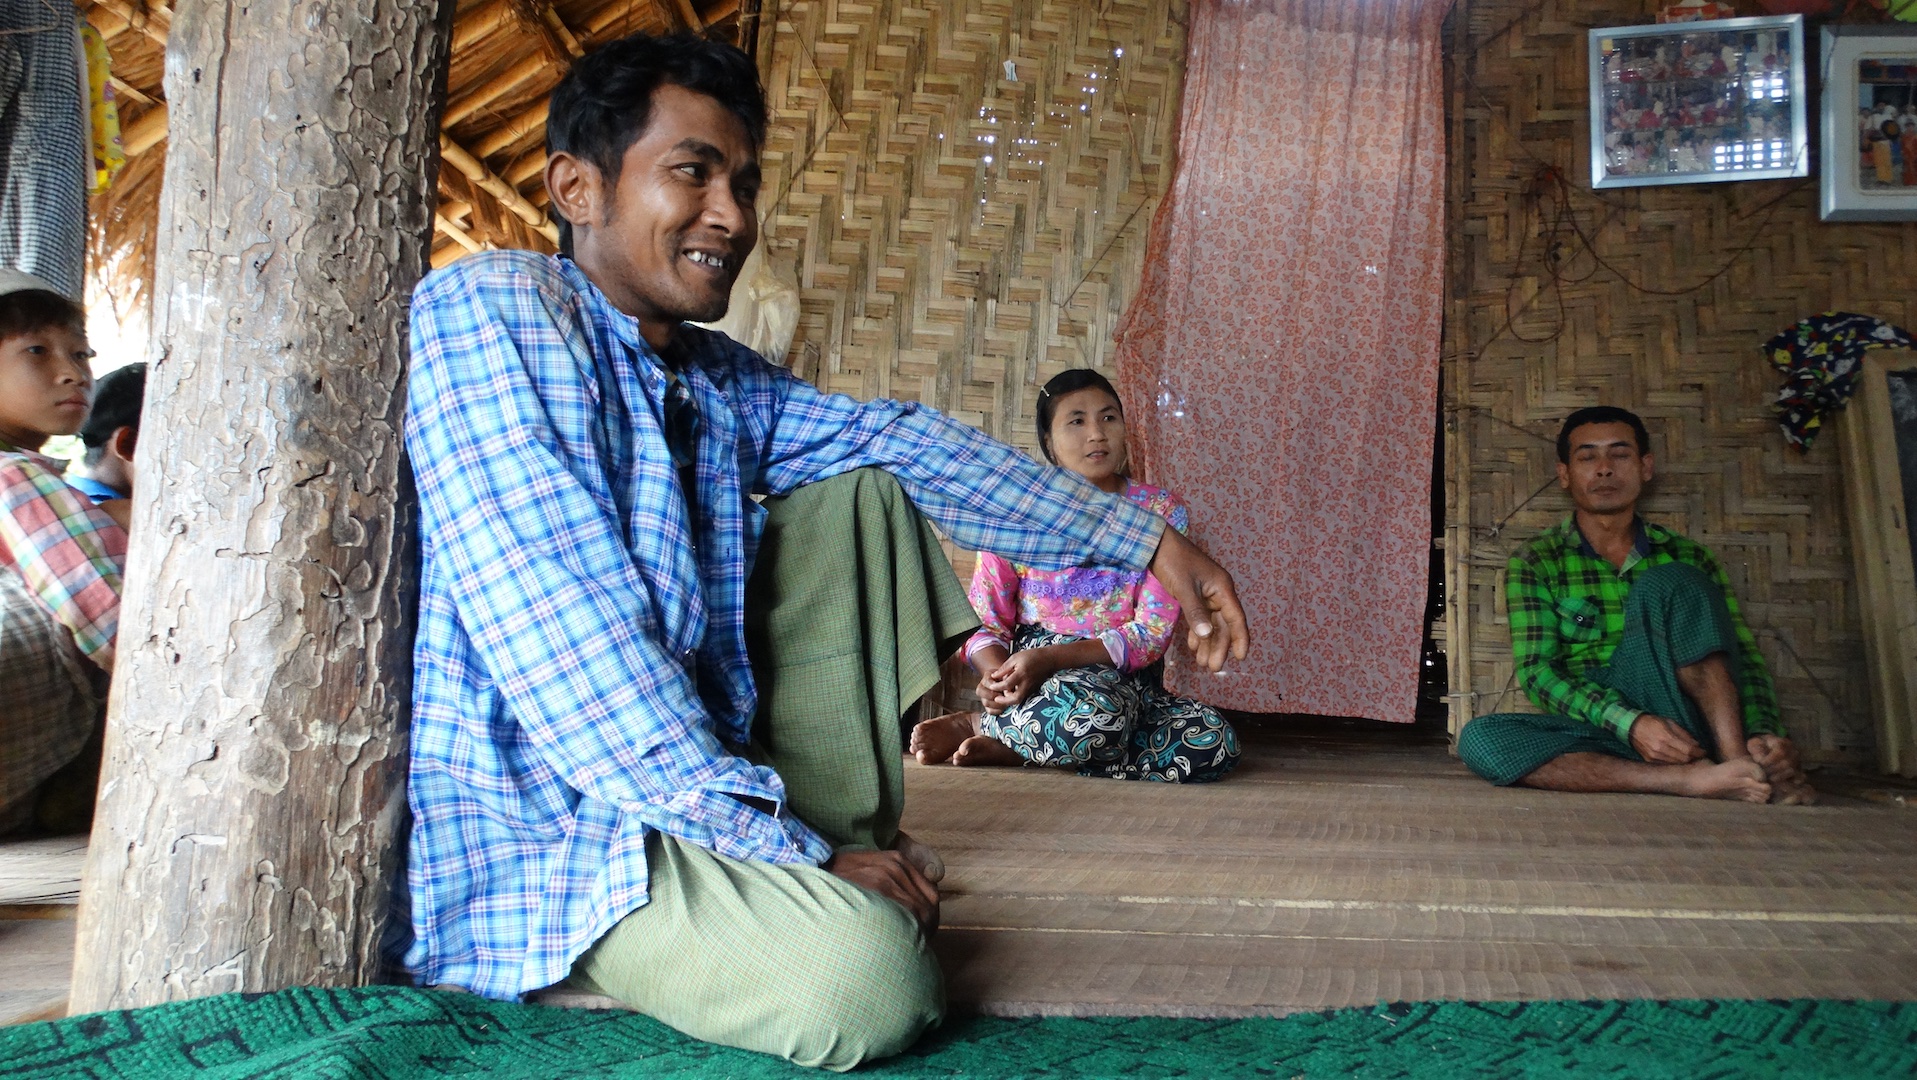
(45, 156)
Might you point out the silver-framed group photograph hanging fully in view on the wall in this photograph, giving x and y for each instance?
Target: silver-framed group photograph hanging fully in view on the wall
(1699, 103)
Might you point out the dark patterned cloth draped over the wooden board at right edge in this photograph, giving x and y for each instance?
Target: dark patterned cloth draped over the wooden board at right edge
(1820, 360)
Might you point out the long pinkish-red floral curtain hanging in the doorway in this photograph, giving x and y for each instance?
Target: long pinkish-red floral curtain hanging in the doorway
(1282, 360)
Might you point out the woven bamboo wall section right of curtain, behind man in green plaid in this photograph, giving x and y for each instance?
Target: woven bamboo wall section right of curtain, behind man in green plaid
(1529, 346)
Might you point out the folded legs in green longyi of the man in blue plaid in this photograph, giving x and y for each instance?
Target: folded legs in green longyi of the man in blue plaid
(848, 613)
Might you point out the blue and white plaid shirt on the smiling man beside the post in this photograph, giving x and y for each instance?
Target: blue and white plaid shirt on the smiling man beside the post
(580, 674)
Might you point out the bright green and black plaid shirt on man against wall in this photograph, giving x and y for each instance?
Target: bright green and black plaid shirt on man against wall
(1567, 619)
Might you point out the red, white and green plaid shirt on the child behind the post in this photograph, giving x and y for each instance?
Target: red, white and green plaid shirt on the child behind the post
(66, 550)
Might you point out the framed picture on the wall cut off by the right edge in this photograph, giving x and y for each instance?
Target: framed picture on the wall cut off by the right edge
(1870, 124)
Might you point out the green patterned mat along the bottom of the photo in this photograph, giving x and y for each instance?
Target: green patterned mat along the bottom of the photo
(386, 1033)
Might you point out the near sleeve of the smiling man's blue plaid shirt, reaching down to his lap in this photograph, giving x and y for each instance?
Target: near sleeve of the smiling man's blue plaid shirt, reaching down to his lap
(553, 601)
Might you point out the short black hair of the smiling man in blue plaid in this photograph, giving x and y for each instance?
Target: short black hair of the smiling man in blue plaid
(603, 105)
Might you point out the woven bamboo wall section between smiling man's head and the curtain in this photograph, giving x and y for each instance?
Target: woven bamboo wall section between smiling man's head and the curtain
(961, 233)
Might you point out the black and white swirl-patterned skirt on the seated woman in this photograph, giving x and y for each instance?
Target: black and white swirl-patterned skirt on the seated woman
(1115, 724)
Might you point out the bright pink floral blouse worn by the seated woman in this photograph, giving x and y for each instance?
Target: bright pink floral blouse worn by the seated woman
(1124, 609)
